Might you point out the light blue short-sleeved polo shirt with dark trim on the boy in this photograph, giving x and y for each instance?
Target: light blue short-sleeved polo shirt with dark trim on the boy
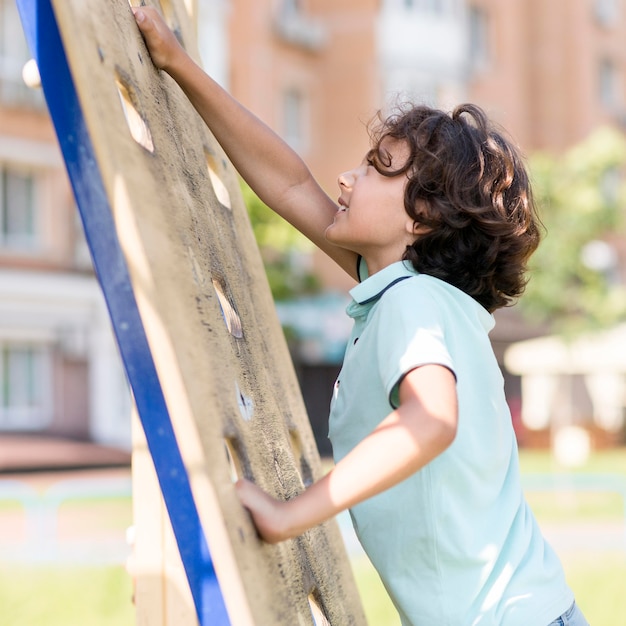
(455, 544)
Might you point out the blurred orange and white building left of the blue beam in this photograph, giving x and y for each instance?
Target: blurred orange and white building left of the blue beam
(59, 368)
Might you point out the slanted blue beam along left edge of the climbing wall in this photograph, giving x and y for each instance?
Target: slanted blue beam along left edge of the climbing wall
(46, 45)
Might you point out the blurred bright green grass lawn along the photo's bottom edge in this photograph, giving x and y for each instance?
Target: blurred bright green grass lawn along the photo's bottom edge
(101, 596)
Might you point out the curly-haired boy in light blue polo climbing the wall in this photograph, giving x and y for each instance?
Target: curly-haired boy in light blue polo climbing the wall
(437, 222)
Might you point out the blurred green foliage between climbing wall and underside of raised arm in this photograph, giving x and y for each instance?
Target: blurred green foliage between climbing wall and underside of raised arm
(284, 250)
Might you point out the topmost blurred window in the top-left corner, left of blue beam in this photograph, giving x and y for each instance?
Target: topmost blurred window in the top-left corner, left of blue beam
(13, 55)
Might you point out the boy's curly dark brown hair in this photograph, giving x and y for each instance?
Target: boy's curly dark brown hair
(469, 190)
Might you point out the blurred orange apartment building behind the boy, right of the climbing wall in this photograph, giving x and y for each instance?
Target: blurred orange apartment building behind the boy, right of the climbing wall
(317, 71)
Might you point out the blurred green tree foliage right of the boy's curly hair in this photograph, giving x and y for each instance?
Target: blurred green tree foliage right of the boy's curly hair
(581, 199)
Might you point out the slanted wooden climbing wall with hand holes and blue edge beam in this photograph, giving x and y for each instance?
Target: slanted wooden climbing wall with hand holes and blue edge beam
(210, 372)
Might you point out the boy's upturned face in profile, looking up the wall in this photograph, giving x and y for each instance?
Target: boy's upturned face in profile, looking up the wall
(371, 219)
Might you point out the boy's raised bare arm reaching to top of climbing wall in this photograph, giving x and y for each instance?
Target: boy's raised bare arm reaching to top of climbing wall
(272, 169)
